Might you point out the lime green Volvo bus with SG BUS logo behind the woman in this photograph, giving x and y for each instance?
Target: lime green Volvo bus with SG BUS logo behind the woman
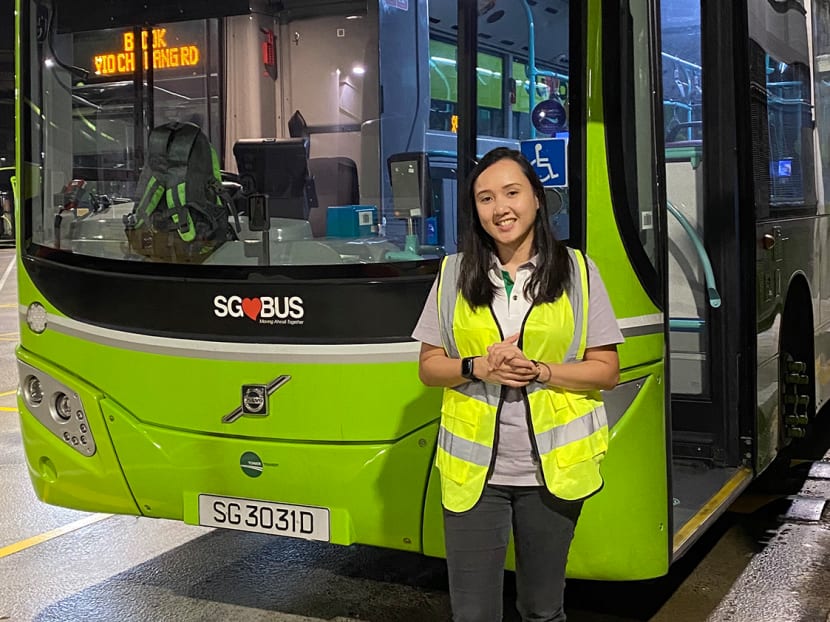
(264, 379)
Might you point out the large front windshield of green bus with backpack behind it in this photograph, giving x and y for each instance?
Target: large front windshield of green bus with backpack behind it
(211, 133)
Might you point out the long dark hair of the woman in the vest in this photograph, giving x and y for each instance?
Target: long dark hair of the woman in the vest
(552, 275)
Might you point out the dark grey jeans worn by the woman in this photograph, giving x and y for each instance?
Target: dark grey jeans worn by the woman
(476, 542)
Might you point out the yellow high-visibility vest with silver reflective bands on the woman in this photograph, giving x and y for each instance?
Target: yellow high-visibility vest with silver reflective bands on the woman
(569, 429)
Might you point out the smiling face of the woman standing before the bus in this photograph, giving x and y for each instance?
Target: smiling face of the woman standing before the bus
(507, 208)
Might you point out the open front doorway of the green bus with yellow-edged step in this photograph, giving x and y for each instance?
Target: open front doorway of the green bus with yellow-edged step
(708, 276)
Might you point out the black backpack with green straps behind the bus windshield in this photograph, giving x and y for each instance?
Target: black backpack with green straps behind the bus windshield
(181, 211)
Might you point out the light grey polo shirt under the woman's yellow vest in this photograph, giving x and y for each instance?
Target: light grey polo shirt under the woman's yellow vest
(516, 464)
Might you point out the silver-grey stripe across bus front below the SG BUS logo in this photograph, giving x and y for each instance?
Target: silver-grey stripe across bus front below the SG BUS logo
(395, 352)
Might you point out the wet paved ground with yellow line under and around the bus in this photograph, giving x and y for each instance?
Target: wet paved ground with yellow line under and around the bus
(766, 561)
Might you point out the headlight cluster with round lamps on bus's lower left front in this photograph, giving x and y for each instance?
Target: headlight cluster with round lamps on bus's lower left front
(57, 407)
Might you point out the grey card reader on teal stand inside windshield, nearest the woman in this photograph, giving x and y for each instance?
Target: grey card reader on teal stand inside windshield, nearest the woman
(411, 199)
